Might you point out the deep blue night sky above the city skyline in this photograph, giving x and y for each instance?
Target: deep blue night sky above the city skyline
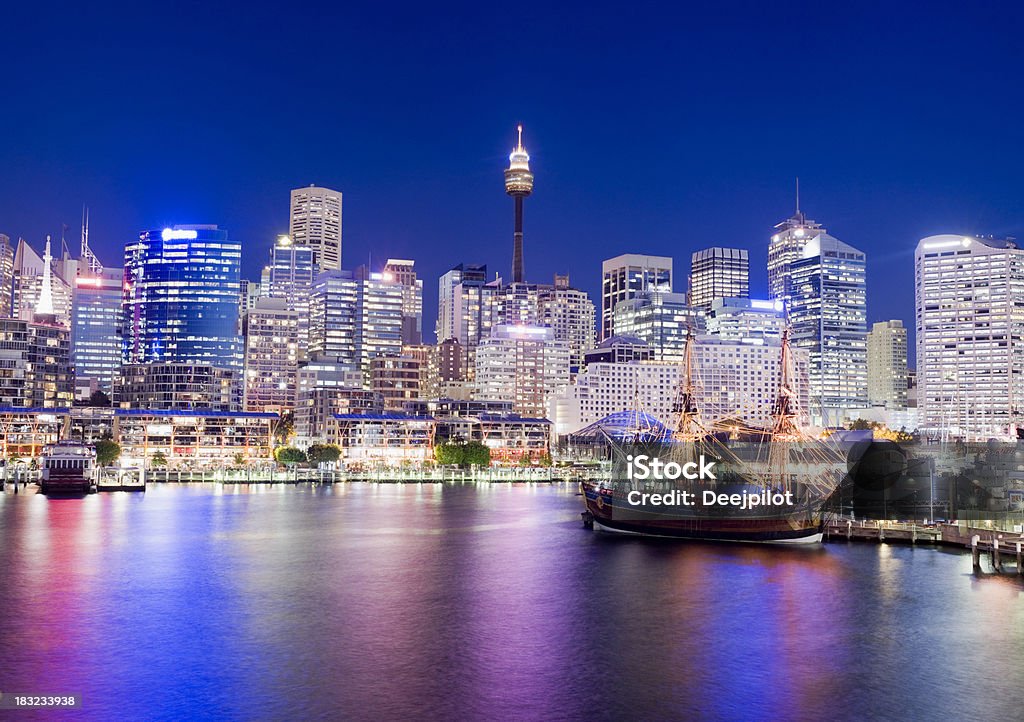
(652, 130)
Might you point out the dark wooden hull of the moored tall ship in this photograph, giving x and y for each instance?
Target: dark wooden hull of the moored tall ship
(803, 528)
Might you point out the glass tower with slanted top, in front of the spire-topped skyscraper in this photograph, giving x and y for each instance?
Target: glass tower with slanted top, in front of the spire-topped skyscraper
(829, 315)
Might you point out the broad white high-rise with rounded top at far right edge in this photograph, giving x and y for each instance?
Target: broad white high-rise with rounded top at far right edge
(970, 331)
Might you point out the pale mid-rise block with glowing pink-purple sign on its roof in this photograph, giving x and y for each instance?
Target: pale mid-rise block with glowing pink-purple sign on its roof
(525, 364)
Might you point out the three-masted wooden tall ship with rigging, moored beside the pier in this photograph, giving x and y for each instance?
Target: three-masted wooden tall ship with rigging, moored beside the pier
(696, 481)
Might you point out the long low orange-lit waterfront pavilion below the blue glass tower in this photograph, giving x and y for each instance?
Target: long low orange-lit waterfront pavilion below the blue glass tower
(193, 441)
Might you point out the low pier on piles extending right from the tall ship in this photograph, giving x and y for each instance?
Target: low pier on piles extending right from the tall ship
(999, 546)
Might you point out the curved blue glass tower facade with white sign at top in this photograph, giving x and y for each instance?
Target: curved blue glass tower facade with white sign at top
(182, 298)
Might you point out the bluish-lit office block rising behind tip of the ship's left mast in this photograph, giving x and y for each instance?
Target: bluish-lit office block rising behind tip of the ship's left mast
(661, 320)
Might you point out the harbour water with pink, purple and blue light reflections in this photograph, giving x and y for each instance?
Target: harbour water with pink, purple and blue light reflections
(479, 602)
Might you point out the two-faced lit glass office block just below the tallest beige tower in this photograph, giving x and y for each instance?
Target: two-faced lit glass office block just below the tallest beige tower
(355, 317)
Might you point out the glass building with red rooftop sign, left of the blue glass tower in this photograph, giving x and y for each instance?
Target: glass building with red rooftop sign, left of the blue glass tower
(96, 323)
